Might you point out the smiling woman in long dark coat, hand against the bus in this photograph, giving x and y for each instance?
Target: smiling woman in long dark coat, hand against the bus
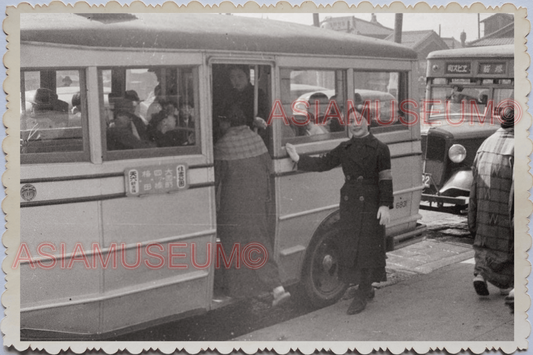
(366, 198)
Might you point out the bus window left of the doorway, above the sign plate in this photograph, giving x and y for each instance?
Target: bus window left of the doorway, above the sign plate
(148, 108)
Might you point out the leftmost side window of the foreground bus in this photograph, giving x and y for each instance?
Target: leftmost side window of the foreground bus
(51, 113)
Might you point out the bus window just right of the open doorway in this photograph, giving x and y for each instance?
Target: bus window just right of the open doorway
(314, 102)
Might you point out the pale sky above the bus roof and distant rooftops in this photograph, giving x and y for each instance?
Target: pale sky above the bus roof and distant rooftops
(451, 24)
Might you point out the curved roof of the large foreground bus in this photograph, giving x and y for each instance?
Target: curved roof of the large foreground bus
(200, 32)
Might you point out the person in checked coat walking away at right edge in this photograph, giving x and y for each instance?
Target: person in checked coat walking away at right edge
(491, 210)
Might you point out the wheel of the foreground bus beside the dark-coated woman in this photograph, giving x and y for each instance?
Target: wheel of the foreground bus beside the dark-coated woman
(320, 280)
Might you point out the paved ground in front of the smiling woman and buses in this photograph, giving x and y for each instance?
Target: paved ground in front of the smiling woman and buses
(435, 305)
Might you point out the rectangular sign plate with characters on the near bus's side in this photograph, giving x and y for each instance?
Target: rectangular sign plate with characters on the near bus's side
(155, 179)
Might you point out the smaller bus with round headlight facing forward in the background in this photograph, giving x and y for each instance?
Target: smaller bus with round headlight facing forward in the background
(467, 89)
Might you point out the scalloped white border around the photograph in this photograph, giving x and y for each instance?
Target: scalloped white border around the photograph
(11, 177)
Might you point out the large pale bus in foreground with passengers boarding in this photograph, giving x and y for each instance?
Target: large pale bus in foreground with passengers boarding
(124, 237)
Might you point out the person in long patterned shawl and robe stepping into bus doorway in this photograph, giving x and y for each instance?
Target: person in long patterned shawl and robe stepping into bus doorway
(242, 177)
